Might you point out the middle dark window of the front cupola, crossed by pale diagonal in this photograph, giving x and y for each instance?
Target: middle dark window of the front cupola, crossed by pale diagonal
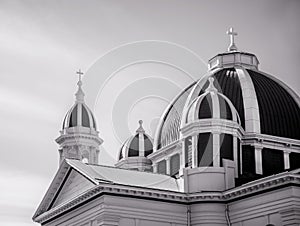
(205, 149)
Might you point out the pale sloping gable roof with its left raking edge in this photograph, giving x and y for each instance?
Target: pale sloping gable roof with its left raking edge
(98, 174)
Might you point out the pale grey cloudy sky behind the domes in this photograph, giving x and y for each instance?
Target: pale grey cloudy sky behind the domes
(136, 54)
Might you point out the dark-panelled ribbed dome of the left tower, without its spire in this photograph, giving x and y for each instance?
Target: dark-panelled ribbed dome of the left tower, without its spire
(79, 115)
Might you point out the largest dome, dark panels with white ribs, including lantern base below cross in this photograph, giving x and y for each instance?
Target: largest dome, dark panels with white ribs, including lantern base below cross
(264, 104)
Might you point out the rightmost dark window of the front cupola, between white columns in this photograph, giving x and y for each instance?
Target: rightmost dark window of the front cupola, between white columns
(226, 147)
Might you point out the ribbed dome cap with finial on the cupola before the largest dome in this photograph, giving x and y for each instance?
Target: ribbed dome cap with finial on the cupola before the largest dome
(211, 104)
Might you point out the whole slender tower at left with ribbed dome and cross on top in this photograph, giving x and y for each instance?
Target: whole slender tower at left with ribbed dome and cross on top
(79, 137)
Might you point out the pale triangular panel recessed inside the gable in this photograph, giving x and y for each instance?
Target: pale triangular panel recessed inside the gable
(74, 185)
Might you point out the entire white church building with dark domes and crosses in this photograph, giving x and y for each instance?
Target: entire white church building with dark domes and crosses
(226, 152)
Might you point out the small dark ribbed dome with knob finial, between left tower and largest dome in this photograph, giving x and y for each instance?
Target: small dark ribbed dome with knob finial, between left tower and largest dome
(138, 145)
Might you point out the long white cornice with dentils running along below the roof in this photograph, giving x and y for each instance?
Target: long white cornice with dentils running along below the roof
(261, 185)
